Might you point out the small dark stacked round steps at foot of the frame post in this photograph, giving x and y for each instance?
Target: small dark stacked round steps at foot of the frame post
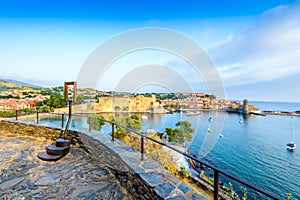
(55, 151)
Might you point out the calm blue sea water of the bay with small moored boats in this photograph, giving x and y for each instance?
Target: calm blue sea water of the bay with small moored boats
(250, 147)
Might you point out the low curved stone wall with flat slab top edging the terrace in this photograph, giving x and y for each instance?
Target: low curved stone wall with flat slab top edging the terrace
(143, 179)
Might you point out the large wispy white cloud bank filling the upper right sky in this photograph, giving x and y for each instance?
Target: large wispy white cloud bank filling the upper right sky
(268, 50)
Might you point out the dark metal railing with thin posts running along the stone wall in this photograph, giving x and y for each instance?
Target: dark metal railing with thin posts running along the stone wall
(217, 171)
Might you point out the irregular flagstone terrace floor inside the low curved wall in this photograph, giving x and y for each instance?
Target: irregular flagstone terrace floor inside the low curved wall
(76, 176)
